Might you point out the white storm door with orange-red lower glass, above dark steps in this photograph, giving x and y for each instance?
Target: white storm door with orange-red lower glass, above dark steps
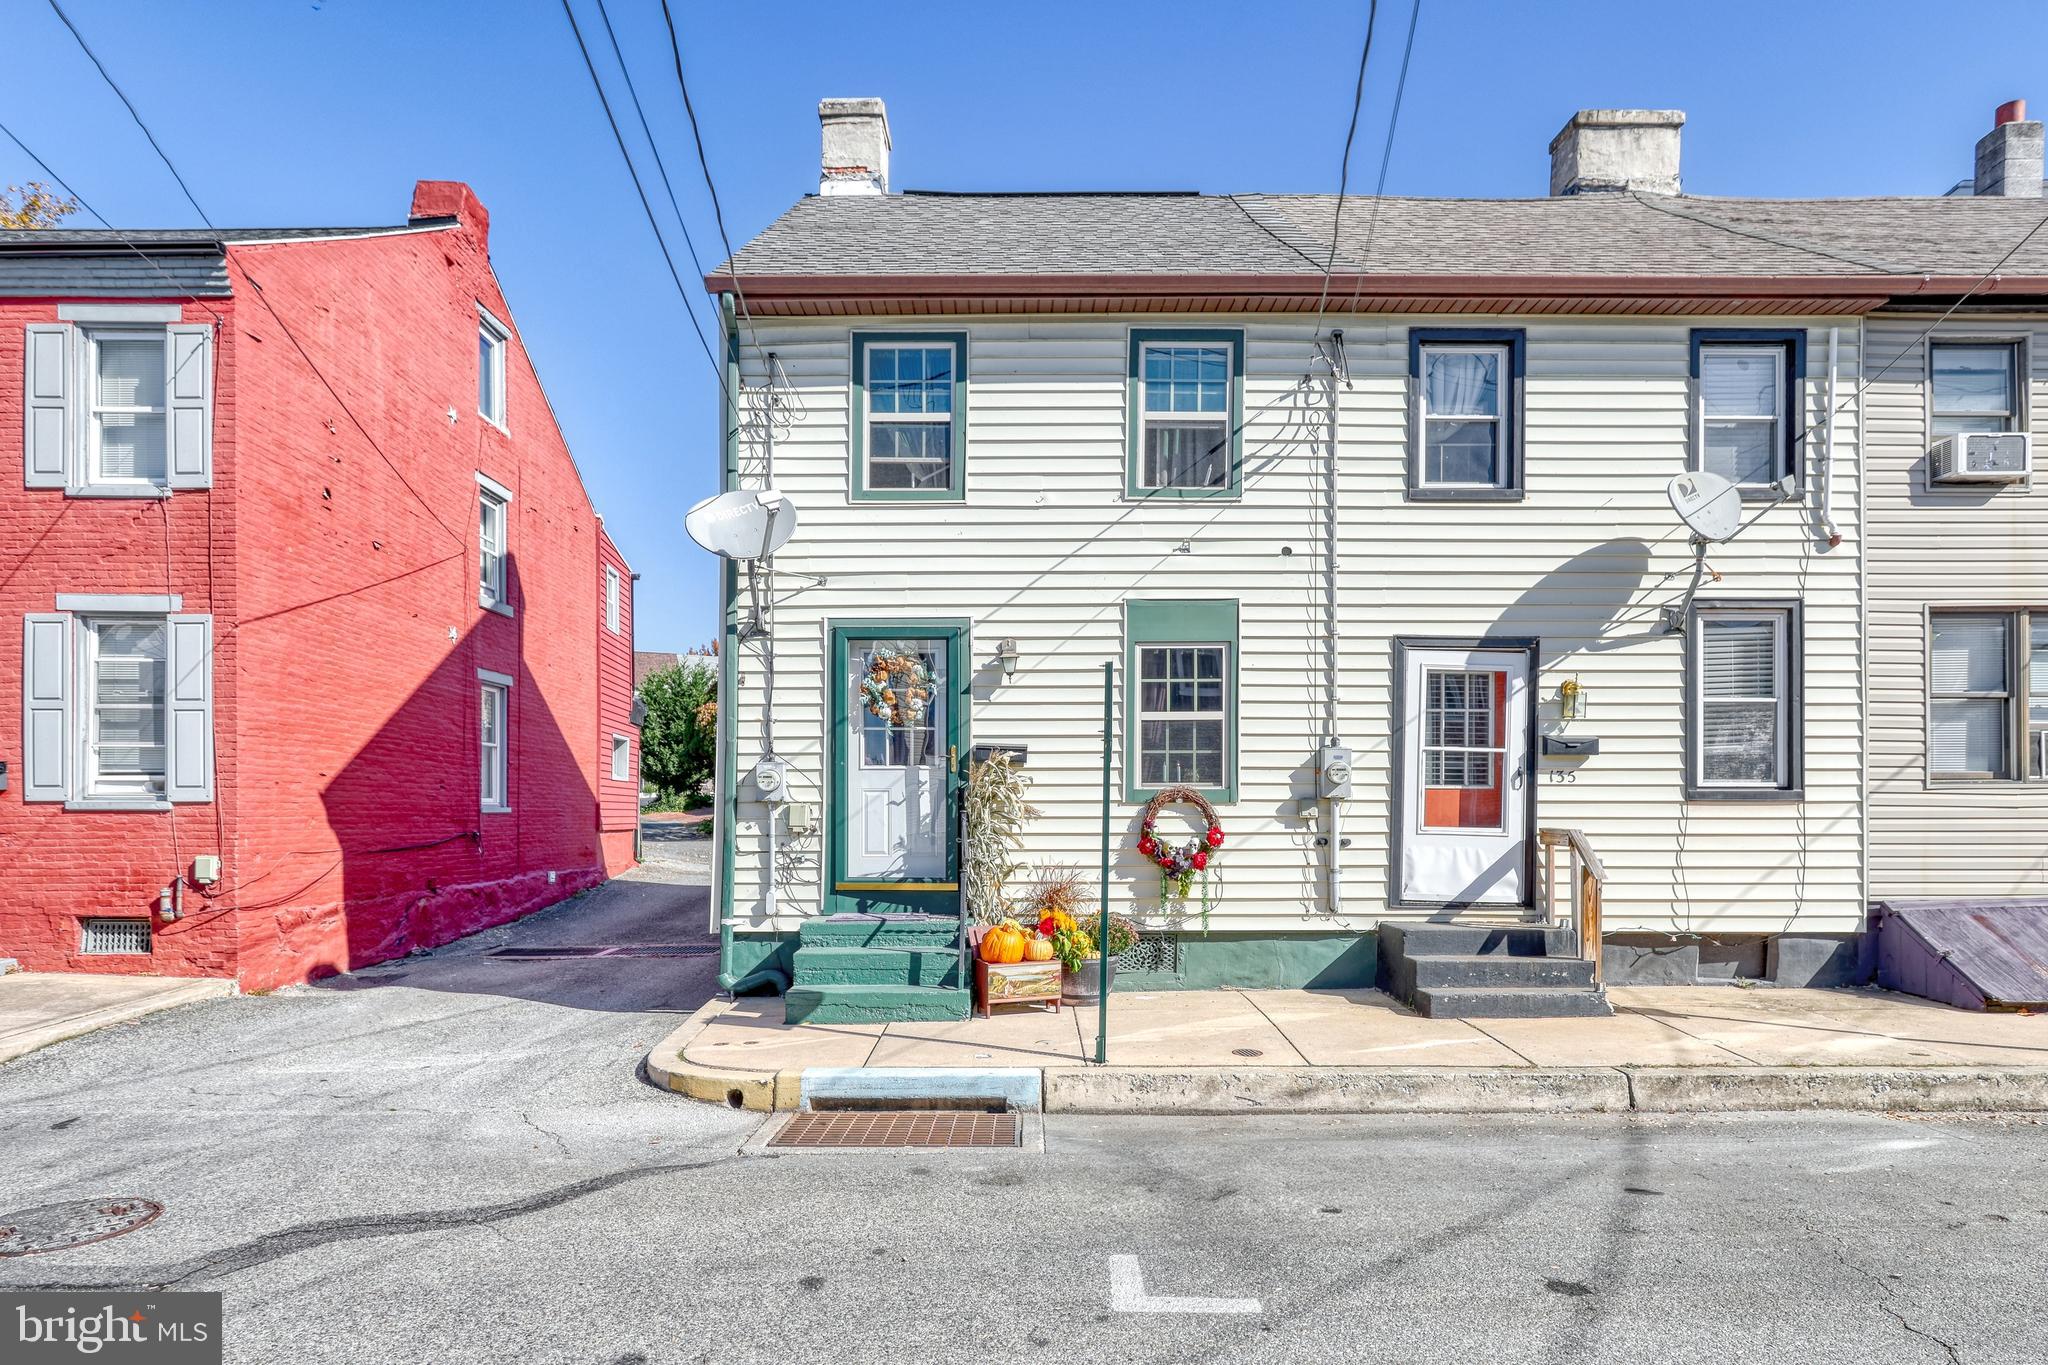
(1465, 777)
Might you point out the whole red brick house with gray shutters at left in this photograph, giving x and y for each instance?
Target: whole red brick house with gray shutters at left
(323, 652)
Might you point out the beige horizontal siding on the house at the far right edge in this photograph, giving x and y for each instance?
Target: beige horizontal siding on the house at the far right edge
(1961, 547)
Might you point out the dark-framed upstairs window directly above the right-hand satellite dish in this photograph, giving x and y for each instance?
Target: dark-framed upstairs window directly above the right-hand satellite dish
(1746, 406)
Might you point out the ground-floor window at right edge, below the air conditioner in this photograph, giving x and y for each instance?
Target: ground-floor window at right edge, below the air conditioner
(1988, 695)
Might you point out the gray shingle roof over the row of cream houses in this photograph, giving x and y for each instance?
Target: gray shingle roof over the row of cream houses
(1289, 234)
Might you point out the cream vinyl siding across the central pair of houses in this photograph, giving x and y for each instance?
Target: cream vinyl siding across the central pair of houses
(1048, 549)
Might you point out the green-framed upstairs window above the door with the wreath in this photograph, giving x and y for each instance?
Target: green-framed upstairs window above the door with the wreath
(910, 423)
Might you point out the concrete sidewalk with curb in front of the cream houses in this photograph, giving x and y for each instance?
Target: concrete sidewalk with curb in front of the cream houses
(1359, 1051)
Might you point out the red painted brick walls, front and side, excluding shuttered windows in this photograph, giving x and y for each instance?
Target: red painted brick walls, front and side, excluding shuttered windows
(347, 629)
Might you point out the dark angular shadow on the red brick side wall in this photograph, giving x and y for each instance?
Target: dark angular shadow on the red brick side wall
(421, 863)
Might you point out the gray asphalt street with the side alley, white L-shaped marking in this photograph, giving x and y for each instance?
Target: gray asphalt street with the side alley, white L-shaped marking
(454, 1159)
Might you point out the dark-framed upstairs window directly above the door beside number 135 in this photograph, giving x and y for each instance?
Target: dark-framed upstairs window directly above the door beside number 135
(1467, 412)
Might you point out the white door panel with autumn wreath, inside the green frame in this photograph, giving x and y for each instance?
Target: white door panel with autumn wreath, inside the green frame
(898, 777)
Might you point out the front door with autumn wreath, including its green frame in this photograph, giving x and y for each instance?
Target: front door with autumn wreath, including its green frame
(900, 695)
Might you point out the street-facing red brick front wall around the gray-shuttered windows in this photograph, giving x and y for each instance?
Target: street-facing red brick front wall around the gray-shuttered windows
(71, 865)
